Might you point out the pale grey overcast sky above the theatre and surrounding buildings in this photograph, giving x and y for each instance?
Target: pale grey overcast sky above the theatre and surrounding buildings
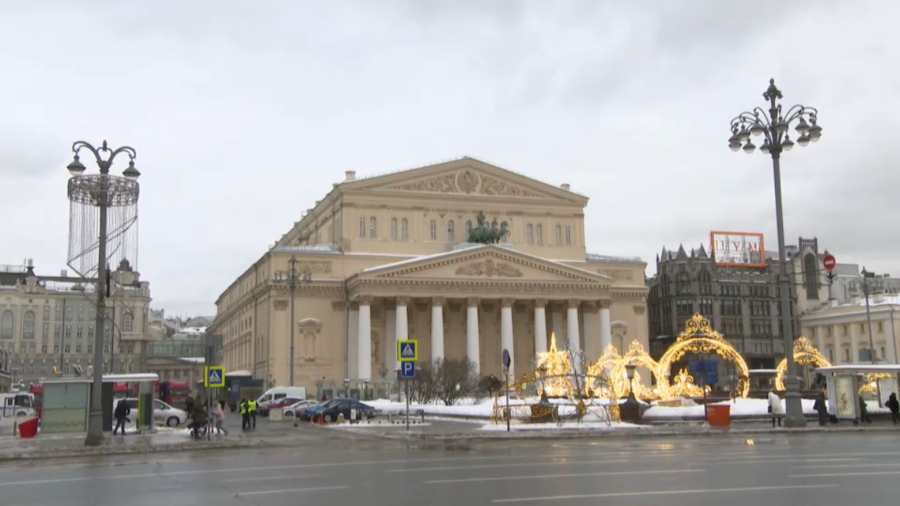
(245, 113)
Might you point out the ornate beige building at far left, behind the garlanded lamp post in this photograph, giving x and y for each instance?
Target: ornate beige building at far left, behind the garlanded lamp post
(47, 322)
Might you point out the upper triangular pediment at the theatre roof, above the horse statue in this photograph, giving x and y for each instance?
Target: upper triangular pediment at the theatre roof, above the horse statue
(466, 176)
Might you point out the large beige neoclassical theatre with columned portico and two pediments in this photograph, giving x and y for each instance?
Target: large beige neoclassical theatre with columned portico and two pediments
(386, 258)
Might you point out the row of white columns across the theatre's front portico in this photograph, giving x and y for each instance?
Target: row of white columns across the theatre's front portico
(597, 329)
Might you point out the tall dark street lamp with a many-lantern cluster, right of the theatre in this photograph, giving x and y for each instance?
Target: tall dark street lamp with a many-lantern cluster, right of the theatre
(774, 126)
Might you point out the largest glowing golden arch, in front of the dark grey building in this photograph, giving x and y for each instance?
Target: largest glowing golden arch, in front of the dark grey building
(699, 338)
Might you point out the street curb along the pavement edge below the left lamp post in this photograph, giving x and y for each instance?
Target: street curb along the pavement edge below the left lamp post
(135, 449)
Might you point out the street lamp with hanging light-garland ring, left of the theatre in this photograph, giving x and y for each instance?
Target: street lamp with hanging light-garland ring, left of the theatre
(102, 191)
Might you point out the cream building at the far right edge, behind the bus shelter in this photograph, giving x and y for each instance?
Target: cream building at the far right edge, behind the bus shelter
(841, 331)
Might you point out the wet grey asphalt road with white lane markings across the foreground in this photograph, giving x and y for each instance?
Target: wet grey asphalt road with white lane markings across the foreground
(338, 469)
